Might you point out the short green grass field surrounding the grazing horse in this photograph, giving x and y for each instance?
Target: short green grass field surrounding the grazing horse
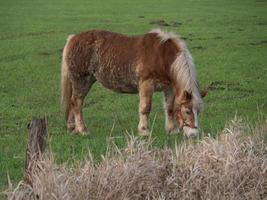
(228, 40)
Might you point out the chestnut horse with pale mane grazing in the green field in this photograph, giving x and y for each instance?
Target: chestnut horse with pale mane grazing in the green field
(156, 61)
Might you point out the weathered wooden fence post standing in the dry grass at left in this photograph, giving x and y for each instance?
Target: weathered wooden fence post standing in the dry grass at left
(36, 145)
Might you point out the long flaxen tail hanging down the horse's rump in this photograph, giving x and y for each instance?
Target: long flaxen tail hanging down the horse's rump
(66, 87)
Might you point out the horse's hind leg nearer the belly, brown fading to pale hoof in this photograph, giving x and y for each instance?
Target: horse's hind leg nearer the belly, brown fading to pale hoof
(80, 90)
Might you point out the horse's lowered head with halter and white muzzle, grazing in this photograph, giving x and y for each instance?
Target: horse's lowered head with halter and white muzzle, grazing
(186, 113)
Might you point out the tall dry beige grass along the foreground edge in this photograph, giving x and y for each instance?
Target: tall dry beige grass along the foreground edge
(233, 166)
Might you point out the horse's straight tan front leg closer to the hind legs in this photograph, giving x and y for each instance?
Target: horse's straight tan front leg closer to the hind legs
(146, 89)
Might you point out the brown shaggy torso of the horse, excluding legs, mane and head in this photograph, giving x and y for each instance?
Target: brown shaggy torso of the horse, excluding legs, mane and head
(119, 61)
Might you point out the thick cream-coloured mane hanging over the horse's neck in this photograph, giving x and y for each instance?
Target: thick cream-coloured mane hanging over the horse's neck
(183, 68)
